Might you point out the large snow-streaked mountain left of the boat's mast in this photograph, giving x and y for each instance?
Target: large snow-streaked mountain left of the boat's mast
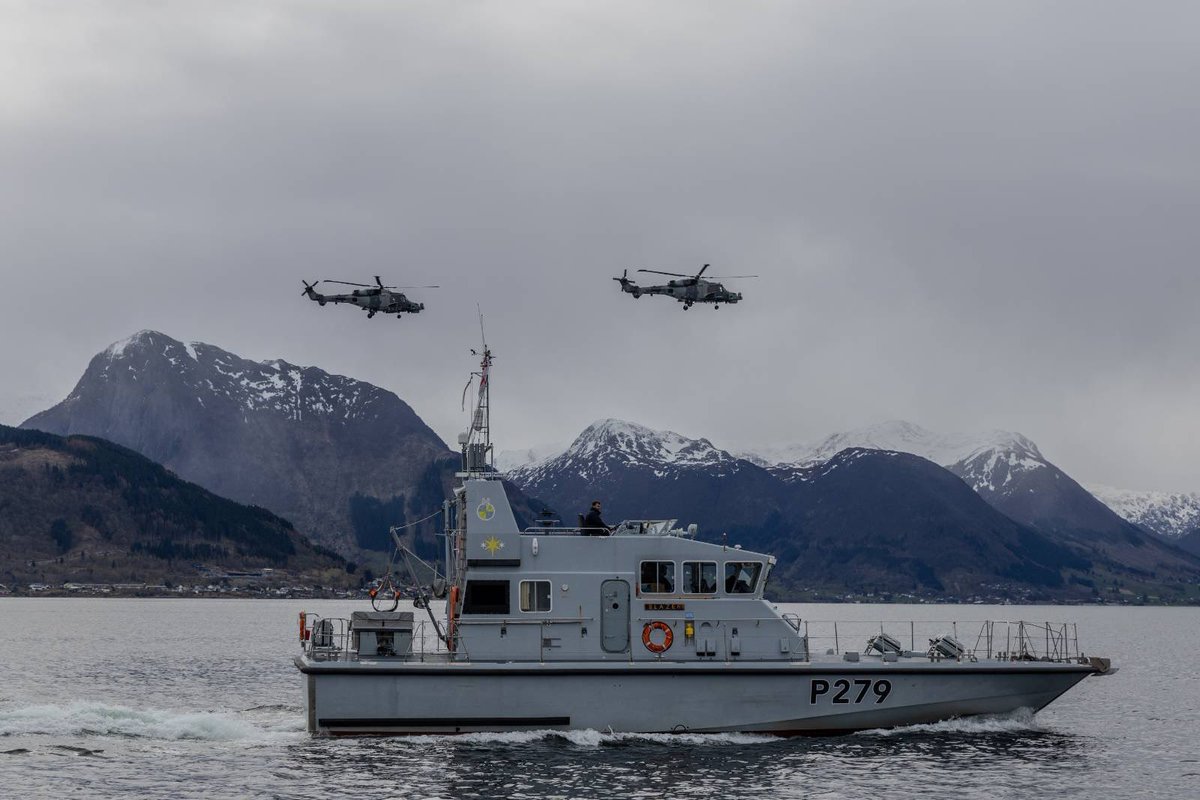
(333, 455)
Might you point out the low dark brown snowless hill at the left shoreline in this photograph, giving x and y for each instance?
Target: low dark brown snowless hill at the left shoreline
(85, 509)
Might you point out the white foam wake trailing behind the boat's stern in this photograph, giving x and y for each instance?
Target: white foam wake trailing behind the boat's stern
(101, 720)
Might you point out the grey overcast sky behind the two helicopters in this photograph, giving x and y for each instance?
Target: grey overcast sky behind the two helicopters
(968, 215)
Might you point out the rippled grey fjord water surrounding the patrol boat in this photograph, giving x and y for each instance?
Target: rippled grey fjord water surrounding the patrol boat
(199, 699)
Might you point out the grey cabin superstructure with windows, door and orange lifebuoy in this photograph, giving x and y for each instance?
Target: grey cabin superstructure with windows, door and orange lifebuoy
(647, 592)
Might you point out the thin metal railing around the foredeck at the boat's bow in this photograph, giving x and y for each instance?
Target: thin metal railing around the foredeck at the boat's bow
(973, 640)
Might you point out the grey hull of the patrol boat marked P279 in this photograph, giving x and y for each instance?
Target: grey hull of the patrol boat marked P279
(793, 699)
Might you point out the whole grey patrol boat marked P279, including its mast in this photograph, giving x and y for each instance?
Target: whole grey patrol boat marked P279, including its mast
(645, 629)
